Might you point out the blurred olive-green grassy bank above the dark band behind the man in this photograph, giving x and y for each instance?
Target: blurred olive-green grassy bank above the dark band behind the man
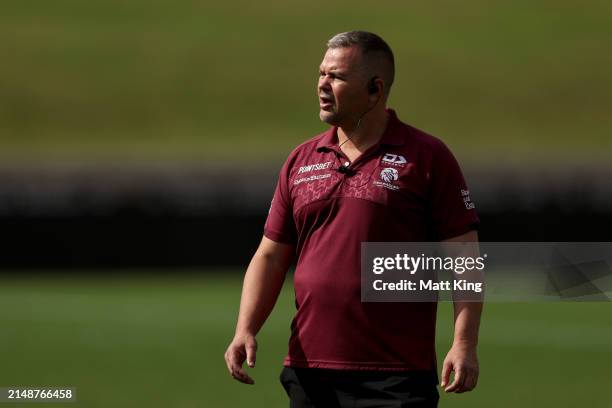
(203, 80)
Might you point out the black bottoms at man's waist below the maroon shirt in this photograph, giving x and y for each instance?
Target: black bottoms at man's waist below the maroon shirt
(309, 388)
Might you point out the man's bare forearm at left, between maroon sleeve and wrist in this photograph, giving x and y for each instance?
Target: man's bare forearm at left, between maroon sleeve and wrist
(262, 284)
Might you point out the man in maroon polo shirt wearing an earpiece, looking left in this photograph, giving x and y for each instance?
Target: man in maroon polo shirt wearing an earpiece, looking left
(369, 177)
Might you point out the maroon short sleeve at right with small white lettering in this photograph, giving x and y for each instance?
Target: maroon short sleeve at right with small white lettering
(452, 211)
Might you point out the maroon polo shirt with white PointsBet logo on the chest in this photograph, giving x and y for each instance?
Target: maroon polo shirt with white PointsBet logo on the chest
(408, 187)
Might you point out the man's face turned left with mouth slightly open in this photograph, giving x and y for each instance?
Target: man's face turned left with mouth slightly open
(342, 87)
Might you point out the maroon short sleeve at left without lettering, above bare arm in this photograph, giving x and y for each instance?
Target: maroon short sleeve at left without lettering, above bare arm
(280, 226)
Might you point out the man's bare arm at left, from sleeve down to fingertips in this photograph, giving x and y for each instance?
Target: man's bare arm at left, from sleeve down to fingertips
(262, 284)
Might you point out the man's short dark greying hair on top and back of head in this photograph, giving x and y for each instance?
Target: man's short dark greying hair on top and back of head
(368, 43)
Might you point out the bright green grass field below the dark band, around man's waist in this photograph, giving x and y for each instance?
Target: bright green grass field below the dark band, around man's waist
(150, 341)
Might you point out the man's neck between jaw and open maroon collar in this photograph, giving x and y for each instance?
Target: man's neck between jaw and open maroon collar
(366, 133)
